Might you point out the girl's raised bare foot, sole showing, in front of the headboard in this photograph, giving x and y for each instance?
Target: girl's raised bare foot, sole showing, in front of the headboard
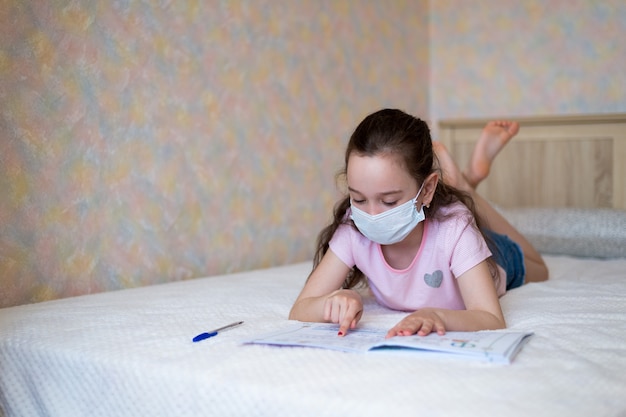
(493, 138)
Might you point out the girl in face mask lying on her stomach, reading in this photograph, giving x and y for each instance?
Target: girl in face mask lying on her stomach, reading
(416, 239)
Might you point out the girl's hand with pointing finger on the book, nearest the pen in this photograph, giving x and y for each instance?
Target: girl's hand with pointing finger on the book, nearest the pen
(344, 307)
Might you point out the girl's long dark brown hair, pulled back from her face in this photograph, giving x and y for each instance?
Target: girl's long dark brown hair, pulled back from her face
(394, 132)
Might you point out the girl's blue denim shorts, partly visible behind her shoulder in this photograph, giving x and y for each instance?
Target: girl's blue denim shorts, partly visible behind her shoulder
(509, 256)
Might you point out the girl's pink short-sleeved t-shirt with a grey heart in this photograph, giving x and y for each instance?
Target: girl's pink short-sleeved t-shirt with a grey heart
(450, 247)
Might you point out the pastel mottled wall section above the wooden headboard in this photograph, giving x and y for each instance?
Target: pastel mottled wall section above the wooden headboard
(529, 57)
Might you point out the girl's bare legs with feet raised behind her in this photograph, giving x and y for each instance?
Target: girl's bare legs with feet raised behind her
(493, 138)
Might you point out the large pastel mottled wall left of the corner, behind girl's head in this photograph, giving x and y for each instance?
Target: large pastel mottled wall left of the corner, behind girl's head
(144, 142)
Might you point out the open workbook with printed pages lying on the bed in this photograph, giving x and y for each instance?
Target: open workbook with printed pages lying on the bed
(491, 346)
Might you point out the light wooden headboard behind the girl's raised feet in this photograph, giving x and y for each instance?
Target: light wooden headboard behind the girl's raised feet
(561, 161)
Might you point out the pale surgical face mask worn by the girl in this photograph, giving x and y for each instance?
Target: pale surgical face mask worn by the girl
(390, 226)
